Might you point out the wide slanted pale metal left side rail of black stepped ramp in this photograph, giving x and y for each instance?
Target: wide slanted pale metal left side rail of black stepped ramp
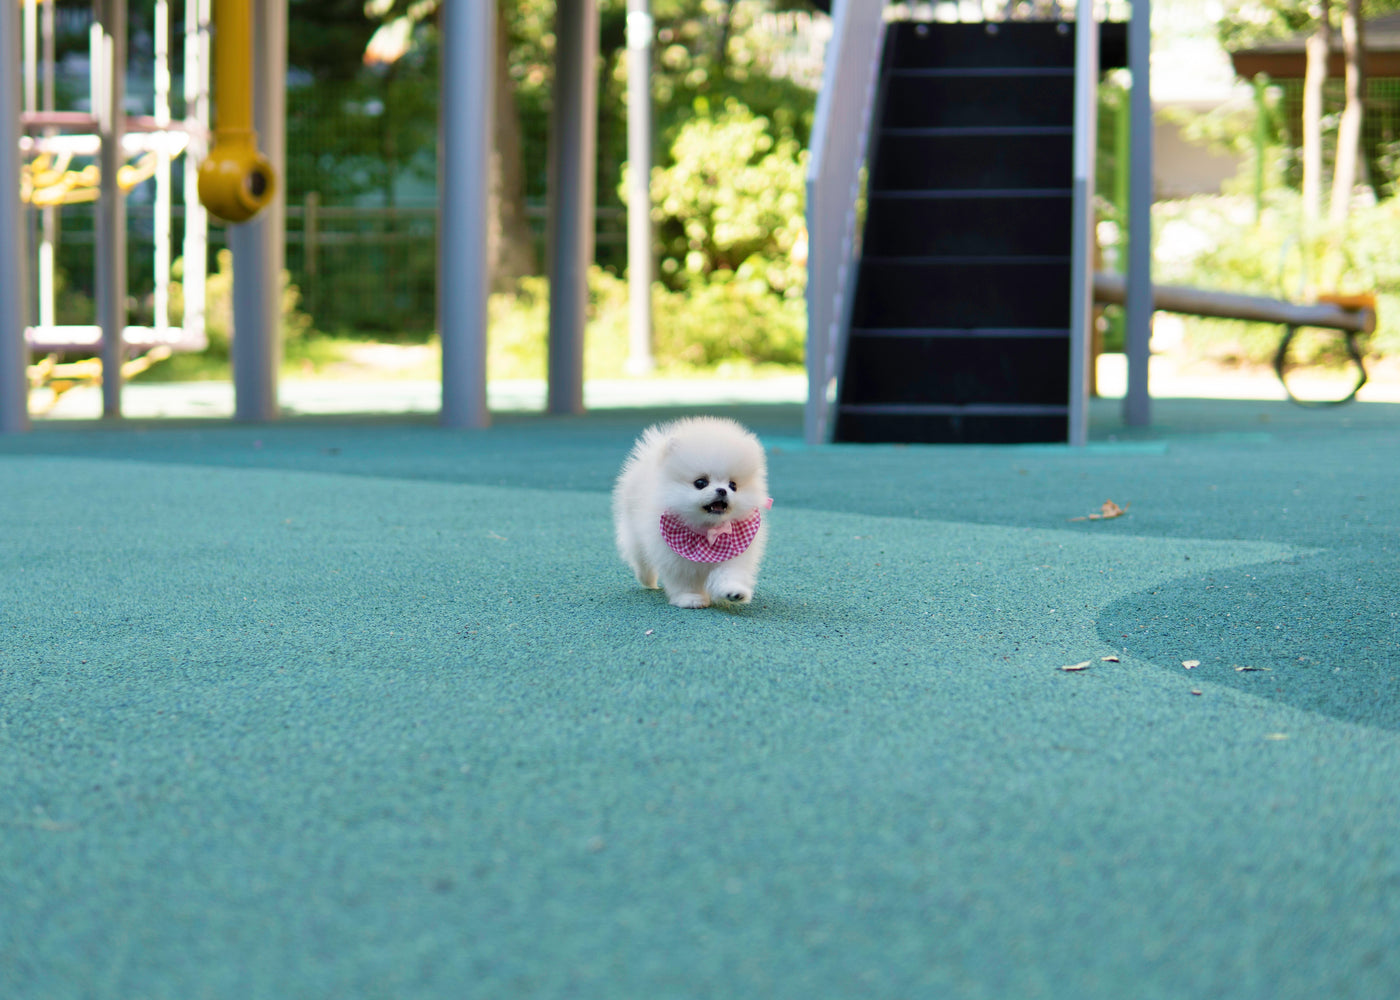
(835, 167)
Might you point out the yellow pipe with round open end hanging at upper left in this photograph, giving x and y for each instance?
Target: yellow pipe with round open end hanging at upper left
(236, 181)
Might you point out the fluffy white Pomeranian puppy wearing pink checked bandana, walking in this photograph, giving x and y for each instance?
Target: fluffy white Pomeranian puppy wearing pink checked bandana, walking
(688, 511)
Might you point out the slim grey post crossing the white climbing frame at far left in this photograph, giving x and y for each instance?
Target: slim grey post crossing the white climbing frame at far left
(110, 96)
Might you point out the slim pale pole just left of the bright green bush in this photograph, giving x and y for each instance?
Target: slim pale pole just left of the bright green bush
(640, 265)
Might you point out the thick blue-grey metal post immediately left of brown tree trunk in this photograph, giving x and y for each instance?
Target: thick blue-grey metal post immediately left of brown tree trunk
(464, 197)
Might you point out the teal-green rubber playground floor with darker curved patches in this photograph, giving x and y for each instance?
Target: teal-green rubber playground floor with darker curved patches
(358, 708)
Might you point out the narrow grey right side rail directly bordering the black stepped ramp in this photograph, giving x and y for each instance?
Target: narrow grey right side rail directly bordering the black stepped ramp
(1081, 271)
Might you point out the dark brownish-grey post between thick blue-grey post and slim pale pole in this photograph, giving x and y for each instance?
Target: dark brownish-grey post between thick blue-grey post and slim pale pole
(572, 183)
